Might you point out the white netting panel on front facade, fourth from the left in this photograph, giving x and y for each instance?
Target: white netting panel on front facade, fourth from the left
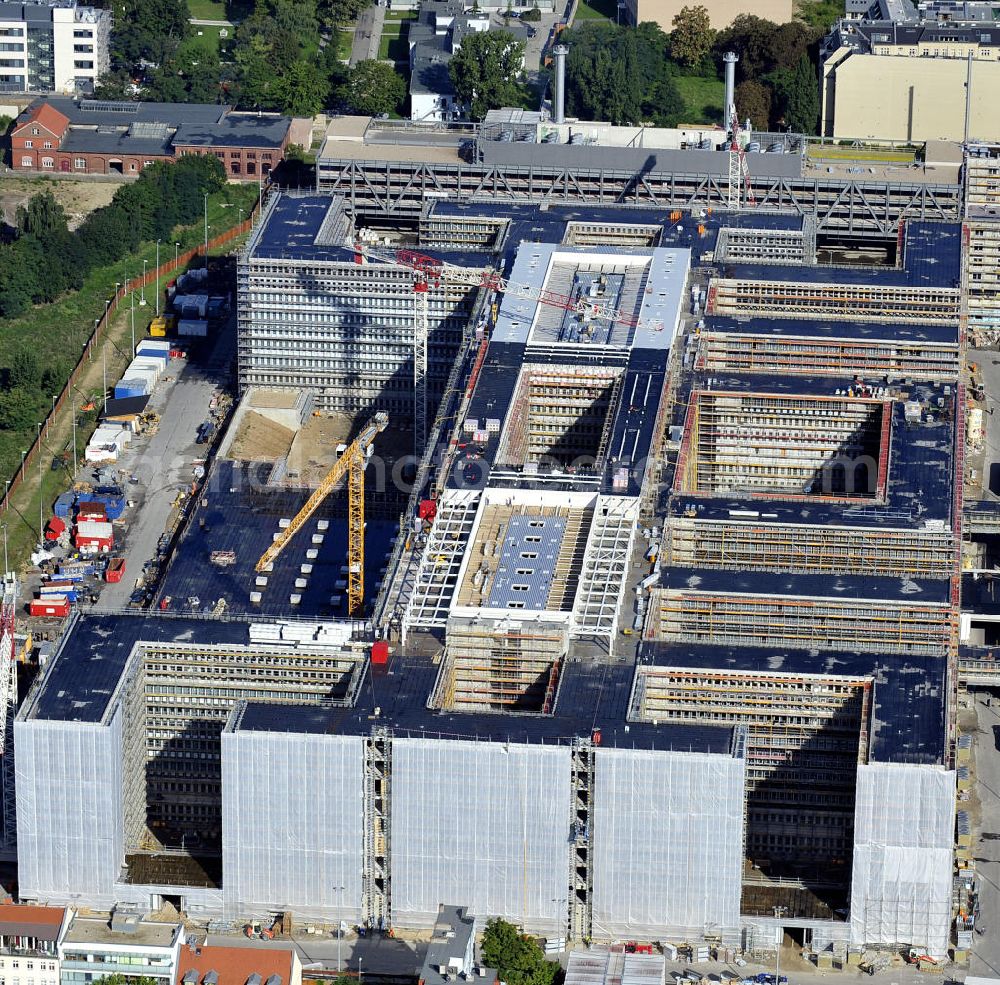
(668, 843)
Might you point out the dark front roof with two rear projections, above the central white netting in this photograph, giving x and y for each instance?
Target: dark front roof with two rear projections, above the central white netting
(591, 696)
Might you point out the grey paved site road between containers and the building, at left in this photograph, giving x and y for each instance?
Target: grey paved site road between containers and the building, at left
(163, 463)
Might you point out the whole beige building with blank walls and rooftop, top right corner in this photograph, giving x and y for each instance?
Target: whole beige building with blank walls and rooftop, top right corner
(908, 82)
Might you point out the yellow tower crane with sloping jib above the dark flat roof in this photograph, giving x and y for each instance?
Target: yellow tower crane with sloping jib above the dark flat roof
(351, 464)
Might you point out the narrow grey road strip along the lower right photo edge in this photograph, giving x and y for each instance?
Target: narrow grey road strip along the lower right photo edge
(986, 949)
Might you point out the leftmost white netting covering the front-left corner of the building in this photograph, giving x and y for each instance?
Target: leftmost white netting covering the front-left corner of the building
(70, 841)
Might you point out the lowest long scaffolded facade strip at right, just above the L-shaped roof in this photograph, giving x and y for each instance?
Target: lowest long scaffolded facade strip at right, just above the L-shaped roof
(824, 624)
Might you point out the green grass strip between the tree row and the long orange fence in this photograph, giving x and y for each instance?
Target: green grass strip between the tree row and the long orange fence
(65, 325)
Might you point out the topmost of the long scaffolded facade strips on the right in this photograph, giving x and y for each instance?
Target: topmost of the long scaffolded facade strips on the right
(855, 302)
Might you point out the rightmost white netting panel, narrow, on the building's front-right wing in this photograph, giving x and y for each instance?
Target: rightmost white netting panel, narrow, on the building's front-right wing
(903, 840)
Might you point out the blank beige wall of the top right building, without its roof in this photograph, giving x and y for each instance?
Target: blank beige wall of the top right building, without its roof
(919, 98)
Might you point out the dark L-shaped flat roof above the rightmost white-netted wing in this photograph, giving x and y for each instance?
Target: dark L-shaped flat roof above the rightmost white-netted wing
(908, 695)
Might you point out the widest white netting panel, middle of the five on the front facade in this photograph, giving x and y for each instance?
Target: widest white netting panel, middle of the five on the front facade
(483, 825)
